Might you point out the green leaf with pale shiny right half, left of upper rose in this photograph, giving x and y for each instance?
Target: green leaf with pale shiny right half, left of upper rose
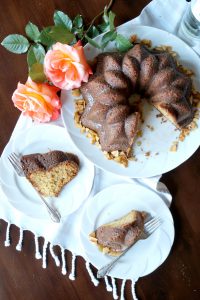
(36, 54)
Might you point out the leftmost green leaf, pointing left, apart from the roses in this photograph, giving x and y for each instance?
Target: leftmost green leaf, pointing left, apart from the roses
(16, 43)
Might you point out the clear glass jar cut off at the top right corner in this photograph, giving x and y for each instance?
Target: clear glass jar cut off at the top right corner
(189, 29)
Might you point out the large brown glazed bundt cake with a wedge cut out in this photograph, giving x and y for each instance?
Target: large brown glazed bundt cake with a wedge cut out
(155, 75)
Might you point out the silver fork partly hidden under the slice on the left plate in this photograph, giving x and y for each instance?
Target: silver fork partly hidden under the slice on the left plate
(14, 159)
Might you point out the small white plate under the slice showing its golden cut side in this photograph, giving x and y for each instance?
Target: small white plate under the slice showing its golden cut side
(21, 194)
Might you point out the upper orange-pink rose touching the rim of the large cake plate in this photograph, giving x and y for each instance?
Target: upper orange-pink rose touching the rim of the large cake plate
(66, 66)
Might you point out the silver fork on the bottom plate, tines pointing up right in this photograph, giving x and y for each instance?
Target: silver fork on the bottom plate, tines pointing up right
(149, 228)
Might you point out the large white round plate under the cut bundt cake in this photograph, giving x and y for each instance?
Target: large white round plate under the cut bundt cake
(156, 142)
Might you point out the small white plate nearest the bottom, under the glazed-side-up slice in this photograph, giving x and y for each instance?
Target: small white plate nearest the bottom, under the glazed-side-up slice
(114, 202)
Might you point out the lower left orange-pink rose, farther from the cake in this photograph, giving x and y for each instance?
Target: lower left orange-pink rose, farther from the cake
(37, 100)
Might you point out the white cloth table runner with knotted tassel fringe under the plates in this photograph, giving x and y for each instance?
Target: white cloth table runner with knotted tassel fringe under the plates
(160, 14)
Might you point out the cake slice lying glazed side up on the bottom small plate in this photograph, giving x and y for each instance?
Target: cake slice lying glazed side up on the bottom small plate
(113, 238)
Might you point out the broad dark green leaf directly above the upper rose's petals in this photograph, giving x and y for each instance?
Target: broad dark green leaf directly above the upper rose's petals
(52, 34)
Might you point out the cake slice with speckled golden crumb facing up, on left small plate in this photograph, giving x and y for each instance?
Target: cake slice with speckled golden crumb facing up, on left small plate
(49, 172)
